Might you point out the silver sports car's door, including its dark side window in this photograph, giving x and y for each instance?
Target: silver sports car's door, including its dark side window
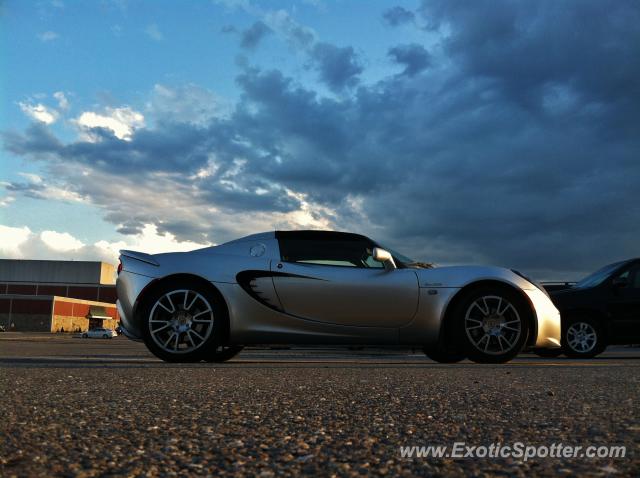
(338, 282)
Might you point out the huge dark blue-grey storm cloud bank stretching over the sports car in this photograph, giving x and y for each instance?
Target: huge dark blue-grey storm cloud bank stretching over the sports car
(518, 145)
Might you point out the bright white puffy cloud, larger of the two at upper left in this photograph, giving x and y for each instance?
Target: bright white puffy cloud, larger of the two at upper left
(121, 121)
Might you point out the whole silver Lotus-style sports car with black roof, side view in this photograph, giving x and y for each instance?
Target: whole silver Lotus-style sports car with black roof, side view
(326, 287)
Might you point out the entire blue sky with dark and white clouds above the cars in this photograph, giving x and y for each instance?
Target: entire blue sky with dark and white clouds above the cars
(503, 132)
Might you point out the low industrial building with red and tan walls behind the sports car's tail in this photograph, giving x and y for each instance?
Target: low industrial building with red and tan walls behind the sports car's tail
(57, 296)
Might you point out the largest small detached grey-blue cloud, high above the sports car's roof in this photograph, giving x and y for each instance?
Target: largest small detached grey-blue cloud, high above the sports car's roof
(338, 67)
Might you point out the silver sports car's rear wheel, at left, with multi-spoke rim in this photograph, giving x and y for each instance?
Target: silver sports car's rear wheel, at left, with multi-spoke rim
(182, 336)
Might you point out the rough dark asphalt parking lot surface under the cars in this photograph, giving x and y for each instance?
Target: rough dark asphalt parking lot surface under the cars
(81, 407)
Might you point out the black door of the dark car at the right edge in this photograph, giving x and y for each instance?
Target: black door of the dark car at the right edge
(624, 305)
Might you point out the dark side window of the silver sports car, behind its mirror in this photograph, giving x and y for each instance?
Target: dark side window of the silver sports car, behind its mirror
(329, 253)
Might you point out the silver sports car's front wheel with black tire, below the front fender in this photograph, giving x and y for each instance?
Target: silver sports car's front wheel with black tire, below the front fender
(492, 323)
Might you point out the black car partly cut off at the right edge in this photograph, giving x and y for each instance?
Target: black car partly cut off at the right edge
(601, 309)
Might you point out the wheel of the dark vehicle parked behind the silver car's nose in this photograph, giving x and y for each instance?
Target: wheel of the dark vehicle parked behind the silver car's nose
(571, 339)
